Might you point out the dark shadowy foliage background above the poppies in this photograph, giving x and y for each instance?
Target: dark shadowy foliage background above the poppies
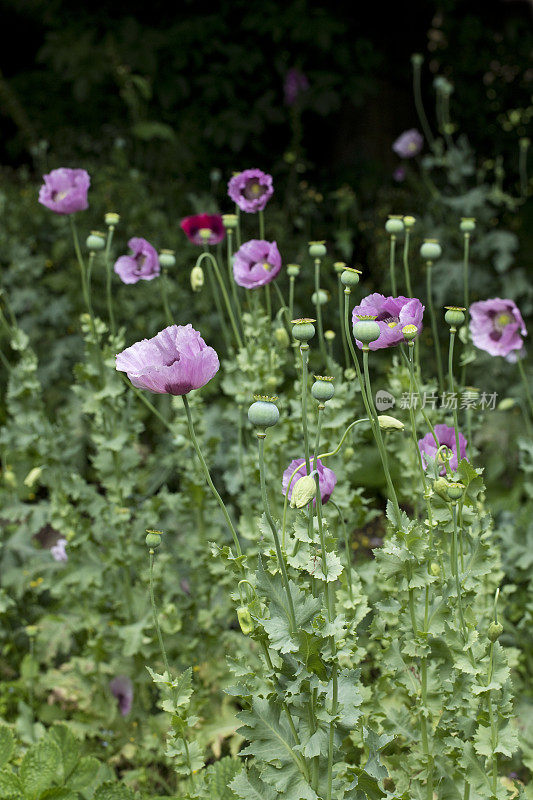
(183, 89)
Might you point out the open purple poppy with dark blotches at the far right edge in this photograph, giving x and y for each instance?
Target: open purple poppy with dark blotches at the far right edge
(497, 326)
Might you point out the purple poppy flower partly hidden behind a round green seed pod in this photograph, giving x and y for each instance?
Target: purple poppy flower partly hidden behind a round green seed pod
(392, 314)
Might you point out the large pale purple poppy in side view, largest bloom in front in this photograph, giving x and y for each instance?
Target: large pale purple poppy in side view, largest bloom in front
(175, 361)
